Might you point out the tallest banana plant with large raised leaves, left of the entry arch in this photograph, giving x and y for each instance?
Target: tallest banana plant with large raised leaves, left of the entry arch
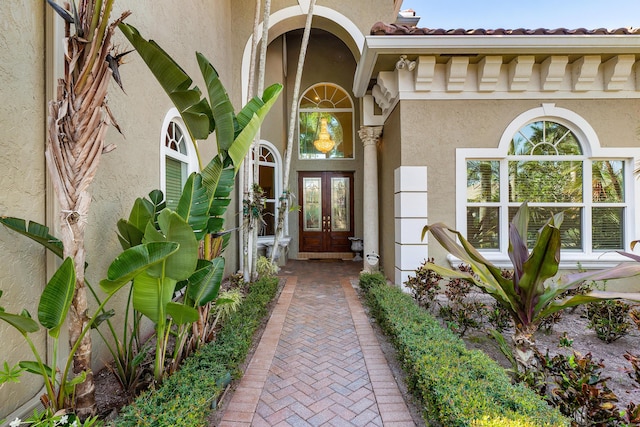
(209, 190)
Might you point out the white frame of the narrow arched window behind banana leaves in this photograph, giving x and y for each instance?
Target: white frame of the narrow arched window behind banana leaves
(190, 159)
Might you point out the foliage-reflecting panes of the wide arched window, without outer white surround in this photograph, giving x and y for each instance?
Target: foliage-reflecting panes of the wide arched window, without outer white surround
(546, 167)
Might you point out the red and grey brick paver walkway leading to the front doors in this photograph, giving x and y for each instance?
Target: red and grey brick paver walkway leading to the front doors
(318, 362)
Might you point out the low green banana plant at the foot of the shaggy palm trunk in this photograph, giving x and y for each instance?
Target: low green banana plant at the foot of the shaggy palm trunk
(54, 304)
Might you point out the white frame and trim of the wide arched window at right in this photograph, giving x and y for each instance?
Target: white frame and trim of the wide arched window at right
(592, 151)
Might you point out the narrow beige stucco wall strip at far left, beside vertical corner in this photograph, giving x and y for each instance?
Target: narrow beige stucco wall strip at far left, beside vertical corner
(22, 126)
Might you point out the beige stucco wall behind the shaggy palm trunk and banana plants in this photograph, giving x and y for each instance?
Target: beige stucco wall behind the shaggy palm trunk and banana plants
(131, 171)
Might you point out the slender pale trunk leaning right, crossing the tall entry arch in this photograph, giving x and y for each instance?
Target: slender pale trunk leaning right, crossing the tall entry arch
(293, 118)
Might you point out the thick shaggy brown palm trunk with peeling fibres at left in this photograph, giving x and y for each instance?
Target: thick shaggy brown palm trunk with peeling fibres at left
(78, 121)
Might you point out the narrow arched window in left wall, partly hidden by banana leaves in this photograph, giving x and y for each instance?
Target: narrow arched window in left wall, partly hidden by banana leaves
(177, 158)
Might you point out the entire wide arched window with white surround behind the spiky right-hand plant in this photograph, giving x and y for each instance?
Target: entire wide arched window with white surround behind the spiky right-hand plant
(551, 158)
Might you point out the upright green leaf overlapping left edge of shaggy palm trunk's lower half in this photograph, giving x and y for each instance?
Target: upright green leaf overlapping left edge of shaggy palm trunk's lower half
(57, 297)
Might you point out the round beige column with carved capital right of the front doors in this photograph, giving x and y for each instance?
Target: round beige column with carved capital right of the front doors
(370, 135)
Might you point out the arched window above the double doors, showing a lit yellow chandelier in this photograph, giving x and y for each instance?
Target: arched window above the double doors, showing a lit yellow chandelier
(326, 123)
